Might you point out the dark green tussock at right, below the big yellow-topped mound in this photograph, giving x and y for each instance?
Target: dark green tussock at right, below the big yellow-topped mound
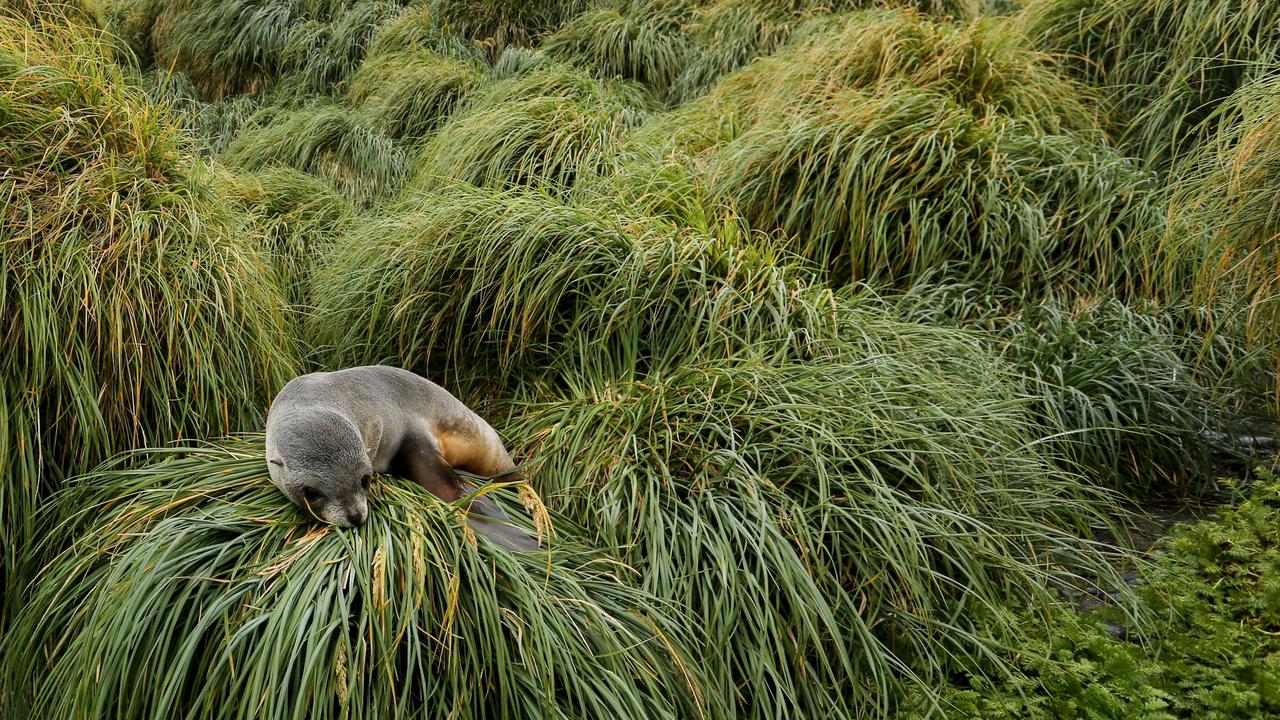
(1126, 393)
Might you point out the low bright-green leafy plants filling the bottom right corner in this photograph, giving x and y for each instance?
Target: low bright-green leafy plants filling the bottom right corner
(1215, 653)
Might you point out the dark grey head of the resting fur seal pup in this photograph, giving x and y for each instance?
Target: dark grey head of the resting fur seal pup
(319, 461)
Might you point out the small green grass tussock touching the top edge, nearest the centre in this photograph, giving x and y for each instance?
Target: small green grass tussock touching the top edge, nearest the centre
(634, 42)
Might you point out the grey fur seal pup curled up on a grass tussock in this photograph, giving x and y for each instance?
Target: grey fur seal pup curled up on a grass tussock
(327, 434)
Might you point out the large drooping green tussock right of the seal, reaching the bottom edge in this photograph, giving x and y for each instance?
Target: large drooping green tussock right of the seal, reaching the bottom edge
(854, 504)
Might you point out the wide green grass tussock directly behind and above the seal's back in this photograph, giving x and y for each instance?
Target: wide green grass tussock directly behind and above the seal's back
(516, 279)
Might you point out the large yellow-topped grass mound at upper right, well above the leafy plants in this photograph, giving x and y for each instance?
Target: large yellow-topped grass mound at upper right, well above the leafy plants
(890, 147)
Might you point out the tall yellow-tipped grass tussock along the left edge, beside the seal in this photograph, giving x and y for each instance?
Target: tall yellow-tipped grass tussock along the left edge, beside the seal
(138, 309)
